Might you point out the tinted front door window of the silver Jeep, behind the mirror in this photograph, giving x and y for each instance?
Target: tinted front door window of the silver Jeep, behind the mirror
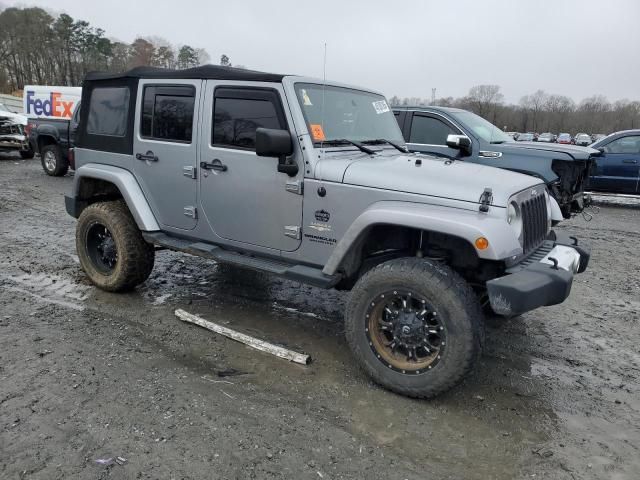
(238, 113)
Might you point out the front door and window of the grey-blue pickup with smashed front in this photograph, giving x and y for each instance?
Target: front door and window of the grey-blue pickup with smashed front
(428, 133)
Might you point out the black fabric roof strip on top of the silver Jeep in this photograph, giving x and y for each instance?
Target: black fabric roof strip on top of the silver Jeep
(213, 72)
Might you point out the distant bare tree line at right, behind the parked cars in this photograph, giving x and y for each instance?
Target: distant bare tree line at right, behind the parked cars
(541, 111)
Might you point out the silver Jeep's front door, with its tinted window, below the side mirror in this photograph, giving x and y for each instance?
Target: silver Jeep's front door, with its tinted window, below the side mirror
(244, 197)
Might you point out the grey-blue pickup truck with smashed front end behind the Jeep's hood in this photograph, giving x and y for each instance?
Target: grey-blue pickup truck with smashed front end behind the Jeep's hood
(461, 135)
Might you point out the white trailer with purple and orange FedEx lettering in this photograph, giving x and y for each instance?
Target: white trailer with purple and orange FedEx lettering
(54, 103)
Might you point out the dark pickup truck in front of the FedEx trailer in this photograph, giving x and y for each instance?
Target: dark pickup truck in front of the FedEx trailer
(52, 139)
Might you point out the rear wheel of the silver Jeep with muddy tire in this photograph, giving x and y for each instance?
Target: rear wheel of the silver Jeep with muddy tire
(110, 247)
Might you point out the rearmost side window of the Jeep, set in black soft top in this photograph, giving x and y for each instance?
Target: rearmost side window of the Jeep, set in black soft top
(108, 109)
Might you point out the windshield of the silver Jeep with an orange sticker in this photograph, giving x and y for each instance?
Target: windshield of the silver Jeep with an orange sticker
(337, 113)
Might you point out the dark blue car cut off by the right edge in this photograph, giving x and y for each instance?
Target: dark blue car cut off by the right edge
(618, 168)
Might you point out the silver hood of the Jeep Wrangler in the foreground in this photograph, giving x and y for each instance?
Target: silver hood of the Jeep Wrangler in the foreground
(426, 175)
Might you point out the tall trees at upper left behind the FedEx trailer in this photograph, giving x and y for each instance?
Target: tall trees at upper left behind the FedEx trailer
(38, 48)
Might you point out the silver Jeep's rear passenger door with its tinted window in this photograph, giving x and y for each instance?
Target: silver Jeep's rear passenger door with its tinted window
(165, 149)
